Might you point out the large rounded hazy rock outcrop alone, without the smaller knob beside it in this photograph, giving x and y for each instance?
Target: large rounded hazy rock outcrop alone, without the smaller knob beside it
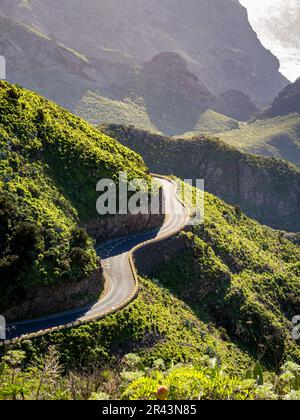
(173, 95)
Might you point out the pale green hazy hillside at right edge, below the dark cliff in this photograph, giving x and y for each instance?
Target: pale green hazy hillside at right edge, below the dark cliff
(276, 137)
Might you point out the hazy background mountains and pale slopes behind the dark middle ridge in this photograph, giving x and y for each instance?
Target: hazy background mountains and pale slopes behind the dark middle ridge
(164, 66)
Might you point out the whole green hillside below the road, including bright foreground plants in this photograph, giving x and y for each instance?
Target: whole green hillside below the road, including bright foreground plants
(199, 325)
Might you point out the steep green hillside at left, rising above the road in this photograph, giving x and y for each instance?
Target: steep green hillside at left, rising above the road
(50, 162)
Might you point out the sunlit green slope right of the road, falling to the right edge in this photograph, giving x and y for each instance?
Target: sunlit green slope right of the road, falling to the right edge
(242, 276)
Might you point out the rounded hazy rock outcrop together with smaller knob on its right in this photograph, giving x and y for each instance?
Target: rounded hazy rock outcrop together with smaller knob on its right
(176, 99)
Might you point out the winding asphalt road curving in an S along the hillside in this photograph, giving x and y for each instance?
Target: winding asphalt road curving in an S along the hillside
(120, 282)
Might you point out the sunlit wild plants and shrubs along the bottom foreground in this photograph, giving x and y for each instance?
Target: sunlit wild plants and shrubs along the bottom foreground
(133, 380)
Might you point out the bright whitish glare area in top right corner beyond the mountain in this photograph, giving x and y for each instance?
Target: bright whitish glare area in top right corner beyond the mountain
(277, 25)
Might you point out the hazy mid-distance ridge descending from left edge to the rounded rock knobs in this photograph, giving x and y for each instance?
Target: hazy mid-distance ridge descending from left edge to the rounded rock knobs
(162, 95)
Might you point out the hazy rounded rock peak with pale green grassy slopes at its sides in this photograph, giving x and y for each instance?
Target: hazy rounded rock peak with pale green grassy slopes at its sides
(164, 96)
